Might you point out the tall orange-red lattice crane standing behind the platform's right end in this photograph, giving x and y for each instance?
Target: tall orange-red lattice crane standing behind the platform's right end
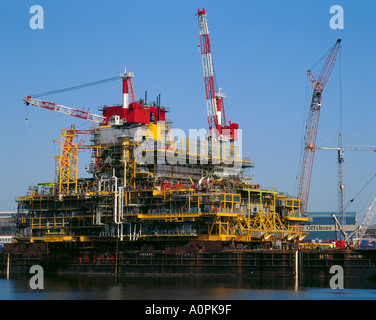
(313, 122)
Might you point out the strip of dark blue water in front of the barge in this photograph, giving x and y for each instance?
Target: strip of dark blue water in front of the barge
(182, 288)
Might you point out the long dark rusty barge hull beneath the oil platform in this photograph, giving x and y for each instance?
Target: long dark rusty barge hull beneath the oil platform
(192, 259)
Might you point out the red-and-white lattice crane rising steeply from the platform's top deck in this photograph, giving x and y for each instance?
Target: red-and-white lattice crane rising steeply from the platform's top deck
(214, 98)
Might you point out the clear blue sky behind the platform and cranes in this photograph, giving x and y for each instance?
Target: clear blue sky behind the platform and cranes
(261, 50)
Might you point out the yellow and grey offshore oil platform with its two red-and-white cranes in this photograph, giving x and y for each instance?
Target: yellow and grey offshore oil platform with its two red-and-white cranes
(150, 183)
